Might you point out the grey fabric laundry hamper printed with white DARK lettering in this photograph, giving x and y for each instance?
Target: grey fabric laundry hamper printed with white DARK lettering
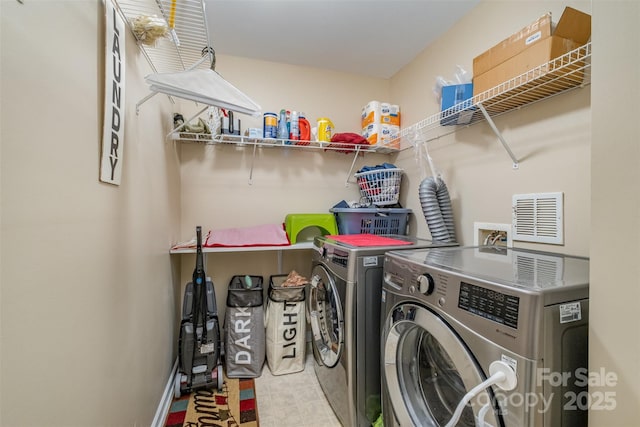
(244, 337)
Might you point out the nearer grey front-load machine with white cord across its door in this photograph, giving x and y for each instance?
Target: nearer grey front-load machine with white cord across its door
(449, 313)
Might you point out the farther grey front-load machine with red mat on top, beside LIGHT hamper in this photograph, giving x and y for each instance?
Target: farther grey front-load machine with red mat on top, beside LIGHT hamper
(343, 305)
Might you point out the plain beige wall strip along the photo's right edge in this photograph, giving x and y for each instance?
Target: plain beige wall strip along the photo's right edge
(614, 340)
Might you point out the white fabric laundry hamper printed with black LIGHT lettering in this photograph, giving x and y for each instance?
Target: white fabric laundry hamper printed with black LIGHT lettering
(285, 327)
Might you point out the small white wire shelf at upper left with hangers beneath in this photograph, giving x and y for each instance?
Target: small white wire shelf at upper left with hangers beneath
(188, 40)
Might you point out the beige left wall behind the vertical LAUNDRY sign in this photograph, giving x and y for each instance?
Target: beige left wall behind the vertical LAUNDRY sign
(87, 309)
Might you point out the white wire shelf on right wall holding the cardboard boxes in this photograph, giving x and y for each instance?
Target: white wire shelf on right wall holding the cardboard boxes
(569, 71)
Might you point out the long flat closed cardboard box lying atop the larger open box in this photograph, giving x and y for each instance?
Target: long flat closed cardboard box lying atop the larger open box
(513, 45)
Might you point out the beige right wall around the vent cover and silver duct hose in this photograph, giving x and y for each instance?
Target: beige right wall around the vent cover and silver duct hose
(550, 139)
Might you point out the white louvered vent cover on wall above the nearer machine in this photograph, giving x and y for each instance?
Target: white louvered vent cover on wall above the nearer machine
(538, 218)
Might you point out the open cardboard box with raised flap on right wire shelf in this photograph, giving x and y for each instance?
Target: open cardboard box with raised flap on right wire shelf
(573, 30)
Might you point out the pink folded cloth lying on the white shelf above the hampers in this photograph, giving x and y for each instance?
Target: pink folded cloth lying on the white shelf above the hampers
(259, 235)
